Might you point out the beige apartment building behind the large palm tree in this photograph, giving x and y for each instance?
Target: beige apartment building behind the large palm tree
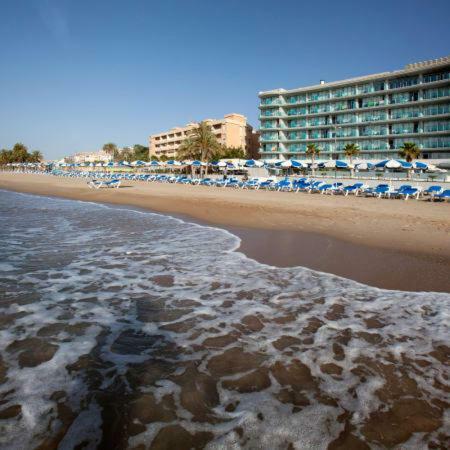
(231, 131)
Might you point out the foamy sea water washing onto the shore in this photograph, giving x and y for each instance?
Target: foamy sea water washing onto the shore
(128, 329)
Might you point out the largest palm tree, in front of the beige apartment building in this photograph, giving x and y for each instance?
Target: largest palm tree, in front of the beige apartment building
(200, 144)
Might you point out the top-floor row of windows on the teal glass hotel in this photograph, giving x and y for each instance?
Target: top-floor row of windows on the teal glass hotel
(356, 90)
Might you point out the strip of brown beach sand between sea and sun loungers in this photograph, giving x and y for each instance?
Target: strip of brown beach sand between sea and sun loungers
(390, 244)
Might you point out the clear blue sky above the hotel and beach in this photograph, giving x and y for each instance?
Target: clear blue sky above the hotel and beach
(75, 74)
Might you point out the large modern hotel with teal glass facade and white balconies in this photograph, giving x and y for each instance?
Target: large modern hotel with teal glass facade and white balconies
(377, 112)
